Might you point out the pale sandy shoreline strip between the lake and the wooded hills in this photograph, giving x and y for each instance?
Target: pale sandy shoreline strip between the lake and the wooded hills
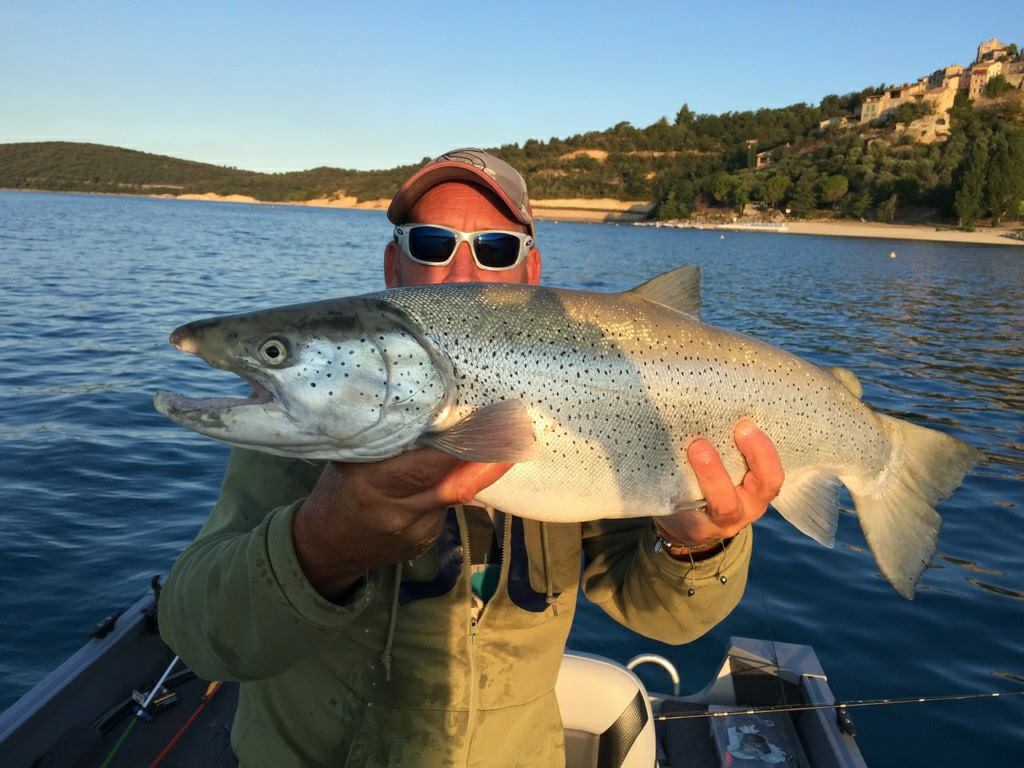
(615, 211)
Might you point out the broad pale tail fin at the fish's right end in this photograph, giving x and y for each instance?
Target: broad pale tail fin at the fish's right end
(898, 510)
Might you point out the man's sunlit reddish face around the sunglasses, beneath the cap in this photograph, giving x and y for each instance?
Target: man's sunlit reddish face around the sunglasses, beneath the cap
(468, 208)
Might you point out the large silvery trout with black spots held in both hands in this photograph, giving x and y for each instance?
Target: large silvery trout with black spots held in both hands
(596, 397)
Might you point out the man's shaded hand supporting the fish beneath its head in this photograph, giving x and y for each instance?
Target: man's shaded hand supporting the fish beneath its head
(361, 517)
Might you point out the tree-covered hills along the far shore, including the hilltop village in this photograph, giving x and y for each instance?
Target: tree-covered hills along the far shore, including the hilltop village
(926, 154)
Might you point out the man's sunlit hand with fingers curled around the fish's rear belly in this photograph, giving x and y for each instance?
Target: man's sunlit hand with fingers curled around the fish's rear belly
(731, 508)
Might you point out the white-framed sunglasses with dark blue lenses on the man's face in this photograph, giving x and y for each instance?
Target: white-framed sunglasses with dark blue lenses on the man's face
(493, 250)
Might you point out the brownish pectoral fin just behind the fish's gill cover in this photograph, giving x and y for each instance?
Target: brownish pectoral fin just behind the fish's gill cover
(500, 433)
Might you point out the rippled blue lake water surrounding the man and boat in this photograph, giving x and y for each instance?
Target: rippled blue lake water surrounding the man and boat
(99, 493)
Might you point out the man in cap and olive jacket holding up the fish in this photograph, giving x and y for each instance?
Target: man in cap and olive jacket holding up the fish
(375, 618)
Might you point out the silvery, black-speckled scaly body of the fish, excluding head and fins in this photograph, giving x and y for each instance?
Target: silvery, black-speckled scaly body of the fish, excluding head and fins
(629, 386)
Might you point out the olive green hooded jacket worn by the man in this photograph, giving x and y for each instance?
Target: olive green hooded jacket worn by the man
(402, 675)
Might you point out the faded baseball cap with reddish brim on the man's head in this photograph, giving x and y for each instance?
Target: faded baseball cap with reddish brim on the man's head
(472, 165)
